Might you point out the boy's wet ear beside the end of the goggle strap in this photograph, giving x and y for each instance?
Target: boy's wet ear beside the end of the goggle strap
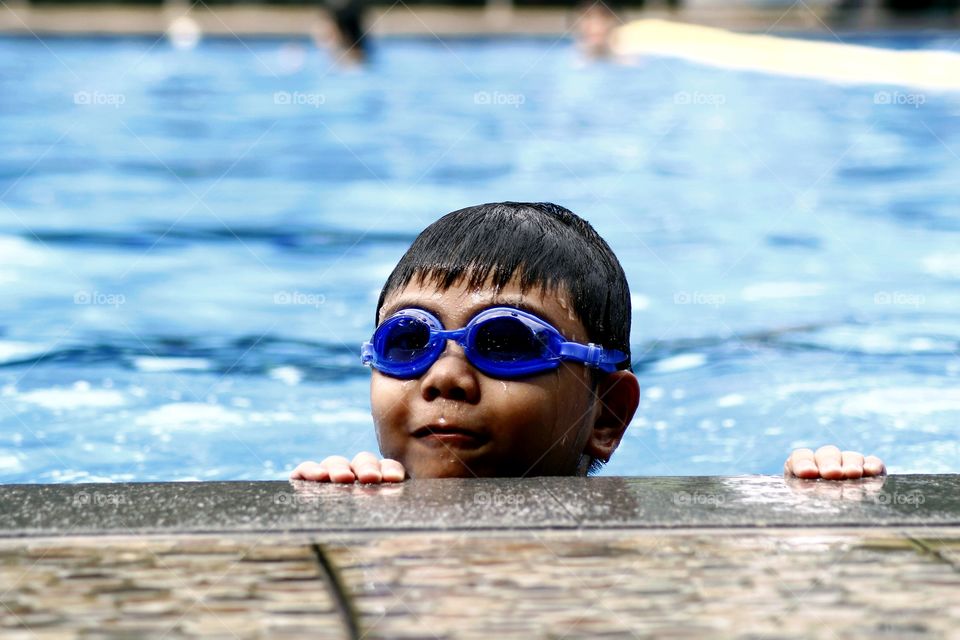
(619, 396)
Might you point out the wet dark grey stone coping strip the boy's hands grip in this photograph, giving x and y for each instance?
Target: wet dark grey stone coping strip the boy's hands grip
(543, 503)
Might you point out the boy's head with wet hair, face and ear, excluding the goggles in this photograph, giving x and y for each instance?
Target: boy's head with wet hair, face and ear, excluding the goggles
(454, 420)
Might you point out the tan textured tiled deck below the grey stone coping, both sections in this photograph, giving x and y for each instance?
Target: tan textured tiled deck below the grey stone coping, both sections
(645, 583)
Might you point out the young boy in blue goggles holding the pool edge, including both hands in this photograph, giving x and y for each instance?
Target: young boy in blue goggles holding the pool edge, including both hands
(503, 349)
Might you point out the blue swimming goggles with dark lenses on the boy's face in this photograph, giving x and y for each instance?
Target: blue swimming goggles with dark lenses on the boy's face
(502, 342)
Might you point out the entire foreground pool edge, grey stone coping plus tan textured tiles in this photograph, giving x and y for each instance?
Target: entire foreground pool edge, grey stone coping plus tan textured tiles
(678, 557)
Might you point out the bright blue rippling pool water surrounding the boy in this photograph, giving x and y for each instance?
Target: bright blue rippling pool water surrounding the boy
(192, 242)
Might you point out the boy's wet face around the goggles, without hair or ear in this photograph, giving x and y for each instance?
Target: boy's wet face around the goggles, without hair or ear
(454, 421)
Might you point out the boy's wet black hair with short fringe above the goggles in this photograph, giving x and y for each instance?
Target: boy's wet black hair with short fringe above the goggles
(541, 244)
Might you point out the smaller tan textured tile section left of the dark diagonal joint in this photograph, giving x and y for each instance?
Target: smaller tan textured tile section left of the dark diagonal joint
(139, 588)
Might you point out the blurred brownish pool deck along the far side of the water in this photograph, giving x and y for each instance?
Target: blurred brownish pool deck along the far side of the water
(17, 17)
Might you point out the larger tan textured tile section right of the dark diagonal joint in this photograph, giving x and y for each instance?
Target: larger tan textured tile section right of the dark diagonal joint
(647, 584)
